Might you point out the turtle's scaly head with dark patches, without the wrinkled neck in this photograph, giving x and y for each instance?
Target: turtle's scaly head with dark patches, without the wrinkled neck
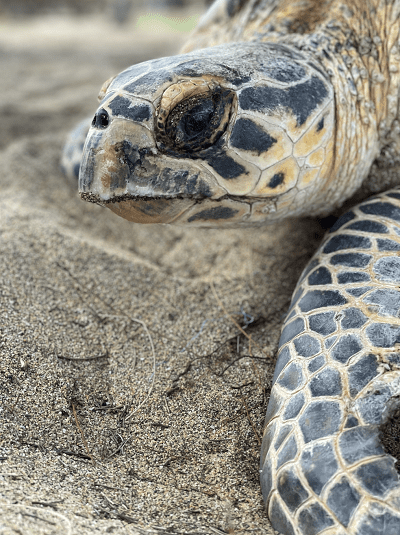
(224, 136)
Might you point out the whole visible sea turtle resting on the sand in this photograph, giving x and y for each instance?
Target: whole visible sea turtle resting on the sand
(292, 111)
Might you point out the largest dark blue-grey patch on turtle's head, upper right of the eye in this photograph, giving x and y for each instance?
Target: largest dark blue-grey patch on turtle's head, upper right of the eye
(302, 99)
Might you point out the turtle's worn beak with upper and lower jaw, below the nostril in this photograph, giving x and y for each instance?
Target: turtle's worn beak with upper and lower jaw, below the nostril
(123, 170)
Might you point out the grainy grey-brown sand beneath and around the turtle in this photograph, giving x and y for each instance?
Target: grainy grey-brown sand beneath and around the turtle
(130, 402)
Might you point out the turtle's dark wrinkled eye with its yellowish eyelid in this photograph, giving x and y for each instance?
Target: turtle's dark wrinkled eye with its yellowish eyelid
(193, 123)
